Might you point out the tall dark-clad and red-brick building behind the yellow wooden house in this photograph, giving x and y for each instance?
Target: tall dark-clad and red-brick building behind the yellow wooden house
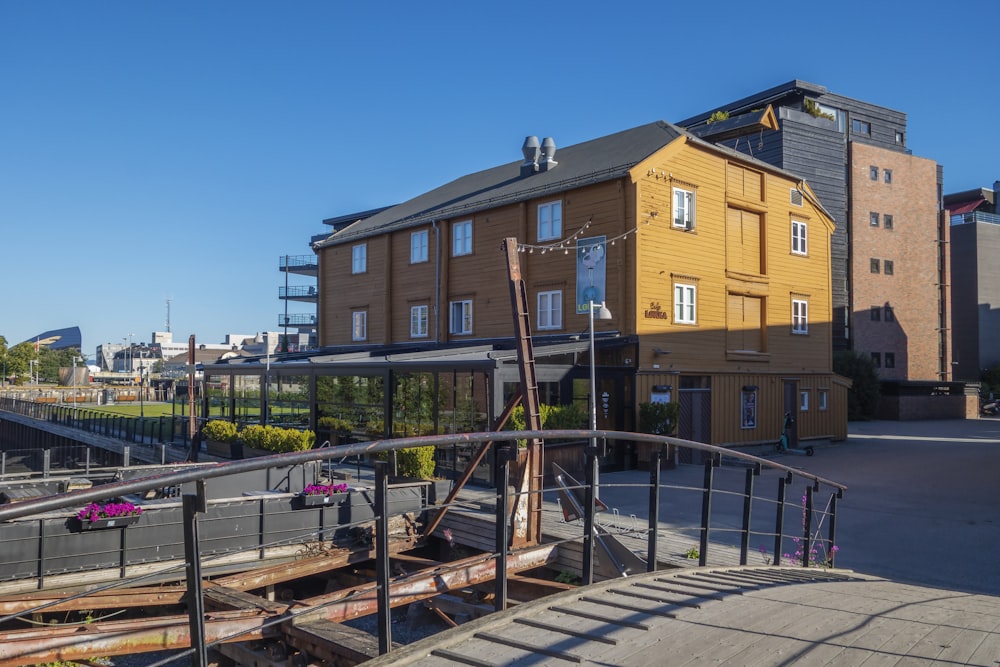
(890, 263)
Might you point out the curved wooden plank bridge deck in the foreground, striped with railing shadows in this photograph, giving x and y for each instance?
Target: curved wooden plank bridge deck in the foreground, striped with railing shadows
(747, 616)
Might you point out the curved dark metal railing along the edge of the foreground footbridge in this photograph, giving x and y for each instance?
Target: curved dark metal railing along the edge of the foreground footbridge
(728, 478)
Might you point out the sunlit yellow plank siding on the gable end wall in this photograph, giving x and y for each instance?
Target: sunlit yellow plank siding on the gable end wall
(667, 255)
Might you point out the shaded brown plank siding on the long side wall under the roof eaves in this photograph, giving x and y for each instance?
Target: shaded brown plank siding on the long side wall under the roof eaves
(393, 285)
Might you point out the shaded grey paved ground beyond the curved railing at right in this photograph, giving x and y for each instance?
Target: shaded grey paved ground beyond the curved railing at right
(922, 505)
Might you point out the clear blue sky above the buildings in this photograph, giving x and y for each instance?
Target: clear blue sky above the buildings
(155, 151)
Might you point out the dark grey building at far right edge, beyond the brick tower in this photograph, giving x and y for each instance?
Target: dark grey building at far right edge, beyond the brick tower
(975, 279)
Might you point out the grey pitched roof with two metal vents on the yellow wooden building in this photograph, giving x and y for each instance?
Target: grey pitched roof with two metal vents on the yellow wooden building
(594, 161)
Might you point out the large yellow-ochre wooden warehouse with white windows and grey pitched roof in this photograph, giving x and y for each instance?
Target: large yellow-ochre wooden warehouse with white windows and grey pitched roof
(716, 268)
